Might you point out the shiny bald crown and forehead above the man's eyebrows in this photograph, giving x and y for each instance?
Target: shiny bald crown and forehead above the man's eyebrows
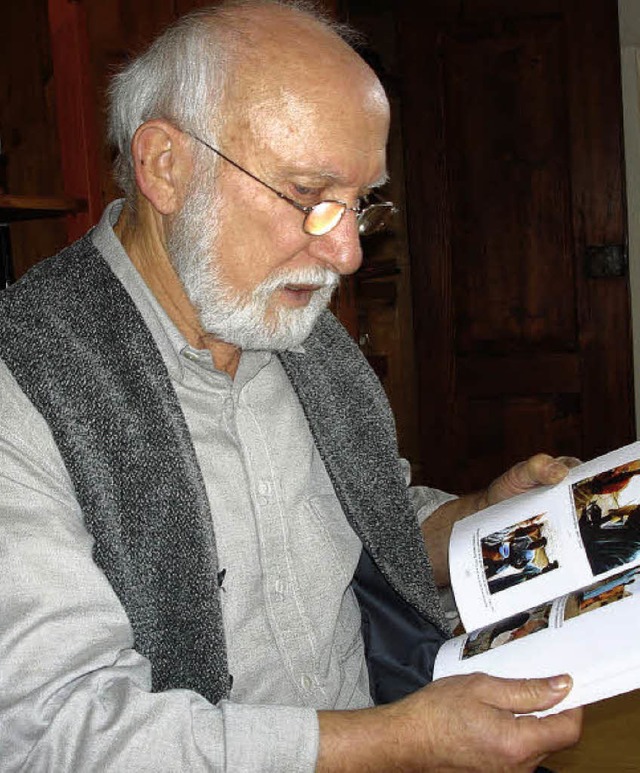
(294, 77)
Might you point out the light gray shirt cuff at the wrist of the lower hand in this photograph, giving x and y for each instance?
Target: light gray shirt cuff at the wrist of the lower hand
(270, 739)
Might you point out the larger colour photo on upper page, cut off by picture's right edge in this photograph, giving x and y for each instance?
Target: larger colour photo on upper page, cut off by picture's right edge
(608, 510)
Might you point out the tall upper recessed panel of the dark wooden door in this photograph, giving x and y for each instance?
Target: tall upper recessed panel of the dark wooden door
(509, 188)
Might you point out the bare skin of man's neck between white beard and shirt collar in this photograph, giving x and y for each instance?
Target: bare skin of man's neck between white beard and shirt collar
(142, 236)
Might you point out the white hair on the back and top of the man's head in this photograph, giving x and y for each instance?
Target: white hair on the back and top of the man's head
(182, 76)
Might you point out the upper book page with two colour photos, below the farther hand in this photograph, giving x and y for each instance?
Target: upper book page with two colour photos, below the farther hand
(543, 544)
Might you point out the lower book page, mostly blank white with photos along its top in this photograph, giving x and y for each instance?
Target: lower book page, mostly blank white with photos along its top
(591, 634)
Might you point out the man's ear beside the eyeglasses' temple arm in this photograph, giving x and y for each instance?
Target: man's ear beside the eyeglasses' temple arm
(162, 164)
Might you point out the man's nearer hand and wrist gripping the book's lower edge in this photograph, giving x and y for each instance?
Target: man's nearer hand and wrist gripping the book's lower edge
(461, 723)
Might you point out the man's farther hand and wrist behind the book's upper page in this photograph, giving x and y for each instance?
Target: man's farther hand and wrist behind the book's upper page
(539, 470)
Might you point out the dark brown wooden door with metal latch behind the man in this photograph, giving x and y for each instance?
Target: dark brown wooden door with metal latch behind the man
(513, 159)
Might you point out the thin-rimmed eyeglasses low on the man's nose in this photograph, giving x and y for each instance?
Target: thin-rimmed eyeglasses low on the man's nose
(325, 215)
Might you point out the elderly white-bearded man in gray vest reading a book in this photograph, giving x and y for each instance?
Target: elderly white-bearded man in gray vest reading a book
(210, 557)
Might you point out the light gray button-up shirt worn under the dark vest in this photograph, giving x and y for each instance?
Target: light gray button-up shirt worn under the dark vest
(74, 695)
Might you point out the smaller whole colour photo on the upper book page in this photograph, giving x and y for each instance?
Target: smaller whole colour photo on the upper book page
(517, 554)
